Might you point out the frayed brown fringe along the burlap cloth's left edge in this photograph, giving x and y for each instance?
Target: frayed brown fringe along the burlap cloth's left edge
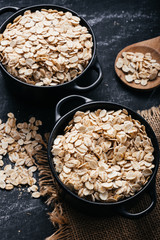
(50, 189)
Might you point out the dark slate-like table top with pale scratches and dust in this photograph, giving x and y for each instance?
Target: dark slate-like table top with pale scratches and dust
(116, 24)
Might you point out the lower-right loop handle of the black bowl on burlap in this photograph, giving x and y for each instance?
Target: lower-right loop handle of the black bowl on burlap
(153, 196)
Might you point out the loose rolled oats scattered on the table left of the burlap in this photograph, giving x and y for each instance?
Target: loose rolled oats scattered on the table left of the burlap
(21, 142)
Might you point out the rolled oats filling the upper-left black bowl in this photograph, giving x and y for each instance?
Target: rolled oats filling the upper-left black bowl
(46, 48)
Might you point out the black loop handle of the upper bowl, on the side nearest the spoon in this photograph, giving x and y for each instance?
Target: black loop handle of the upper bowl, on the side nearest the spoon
(96, 67)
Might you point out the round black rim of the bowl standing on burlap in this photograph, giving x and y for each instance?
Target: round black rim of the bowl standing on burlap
(139, 118)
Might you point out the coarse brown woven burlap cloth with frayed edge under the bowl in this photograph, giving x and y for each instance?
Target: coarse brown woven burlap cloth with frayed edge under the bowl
(72, 224)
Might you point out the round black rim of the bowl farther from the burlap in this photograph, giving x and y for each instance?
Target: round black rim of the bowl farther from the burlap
(61, 8)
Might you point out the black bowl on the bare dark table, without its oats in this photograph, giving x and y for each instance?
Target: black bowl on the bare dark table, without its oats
(24, 89)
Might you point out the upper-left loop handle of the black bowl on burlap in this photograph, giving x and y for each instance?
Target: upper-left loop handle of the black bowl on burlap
(67, 99)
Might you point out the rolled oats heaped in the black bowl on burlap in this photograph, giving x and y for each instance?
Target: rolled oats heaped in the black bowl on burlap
(103, 156)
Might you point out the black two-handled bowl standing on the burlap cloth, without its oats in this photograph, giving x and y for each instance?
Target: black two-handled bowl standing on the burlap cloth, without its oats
(98, 207)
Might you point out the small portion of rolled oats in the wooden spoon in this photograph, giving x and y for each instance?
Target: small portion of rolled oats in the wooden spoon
(138, 67)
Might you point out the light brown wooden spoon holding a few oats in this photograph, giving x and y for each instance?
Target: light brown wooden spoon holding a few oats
(152, 46)
